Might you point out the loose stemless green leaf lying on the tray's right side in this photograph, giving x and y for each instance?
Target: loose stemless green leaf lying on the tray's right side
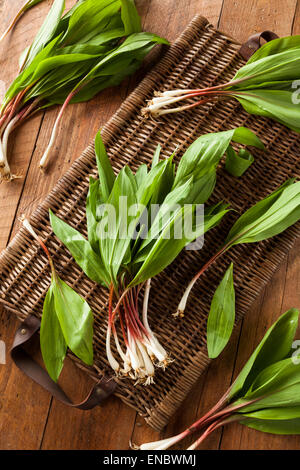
(221, 316)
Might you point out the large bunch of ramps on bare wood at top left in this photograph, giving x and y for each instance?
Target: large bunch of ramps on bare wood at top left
(73, 57)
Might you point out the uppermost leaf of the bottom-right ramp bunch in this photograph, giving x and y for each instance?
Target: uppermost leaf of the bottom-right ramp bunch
(275, 346)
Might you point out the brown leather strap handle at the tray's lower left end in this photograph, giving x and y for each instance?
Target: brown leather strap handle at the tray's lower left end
(30, 327)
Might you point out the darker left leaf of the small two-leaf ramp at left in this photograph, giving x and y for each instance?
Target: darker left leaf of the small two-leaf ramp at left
(53, 344)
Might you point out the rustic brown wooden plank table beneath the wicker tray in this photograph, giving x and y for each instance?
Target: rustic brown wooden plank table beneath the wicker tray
(29, 418)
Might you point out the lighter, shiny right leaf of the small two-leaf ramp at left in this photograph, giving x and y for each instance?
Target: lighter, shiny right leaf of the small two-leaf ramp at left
(75, 318)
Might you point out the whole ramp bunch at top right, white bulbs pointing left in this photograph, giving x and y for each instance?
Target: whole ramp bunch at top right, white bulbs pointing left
(265, 86)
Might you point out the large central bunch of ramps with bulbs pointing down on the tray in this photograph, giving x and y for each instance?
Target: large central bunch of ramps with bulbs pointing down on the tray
(139, 246)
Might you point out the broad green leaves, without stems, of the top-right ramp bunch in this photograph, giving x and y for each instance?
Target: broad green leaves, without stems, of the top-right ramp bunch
(265, 85)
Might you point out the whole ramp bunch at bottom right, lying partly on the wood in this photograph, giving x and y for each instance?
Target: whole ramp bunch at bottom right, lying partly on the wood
(264, 396)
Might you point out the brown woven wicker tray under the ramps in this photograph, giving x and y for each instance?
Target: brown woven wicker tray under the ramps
(201, 56)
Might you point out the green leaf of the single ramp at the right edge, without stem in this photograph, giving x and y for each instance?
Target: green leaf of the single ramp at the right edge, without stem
(269, 217)
